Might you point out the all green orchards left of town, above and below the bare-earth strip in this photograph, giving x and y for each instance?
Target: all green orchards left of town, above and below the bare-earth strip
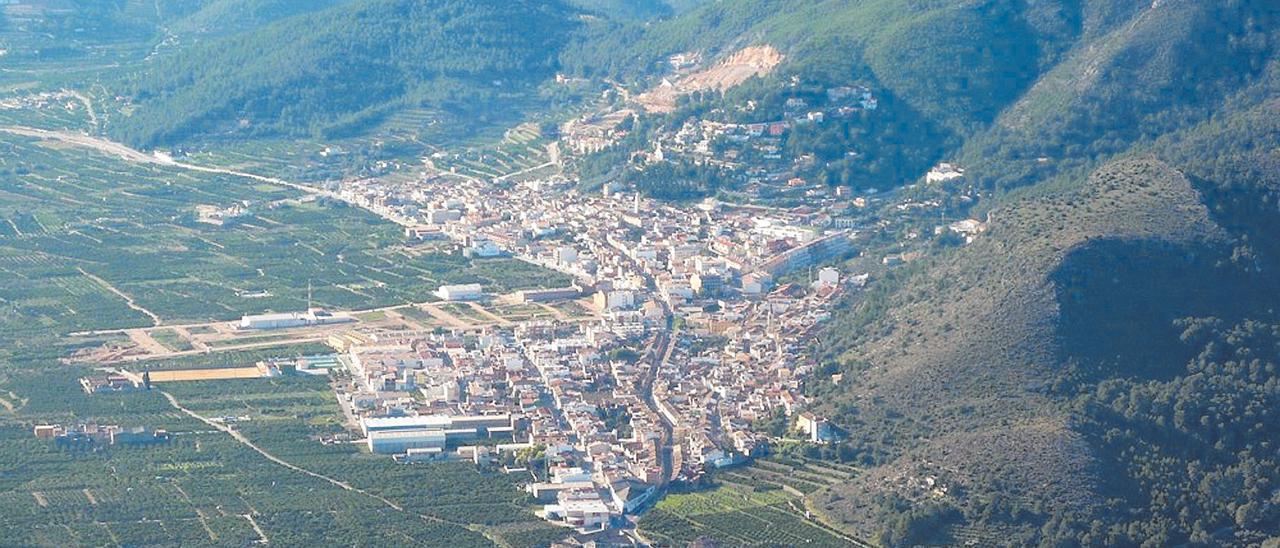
(84, 236)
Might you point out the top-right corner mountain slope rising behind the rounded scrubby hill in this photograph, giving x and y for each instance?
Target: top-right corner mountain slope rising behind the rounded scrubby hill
(1162, 70)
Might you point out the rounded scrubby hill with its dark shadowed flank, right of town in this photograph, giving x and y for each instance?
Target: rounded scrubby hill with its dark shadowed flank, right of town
(970, 375)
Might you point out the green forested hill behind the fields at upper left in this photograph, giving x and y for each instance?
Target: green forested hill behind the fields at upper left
(336, 70)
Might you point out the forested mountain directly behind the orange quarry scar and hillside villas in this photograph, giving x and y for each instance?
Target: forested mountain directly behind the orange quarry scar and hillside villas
(907, 53)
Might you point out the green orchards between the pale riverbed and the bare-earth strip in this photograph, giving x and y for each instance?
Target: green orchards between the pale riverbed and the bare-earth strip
(93, 243)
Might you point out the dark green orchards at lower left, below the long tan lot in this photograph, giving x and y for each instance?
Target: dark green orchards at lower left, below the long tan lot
(205, 488)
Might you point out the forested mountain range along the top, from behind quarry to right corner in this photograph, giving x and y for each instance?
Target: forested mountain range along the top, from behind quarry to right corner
(1018, 92)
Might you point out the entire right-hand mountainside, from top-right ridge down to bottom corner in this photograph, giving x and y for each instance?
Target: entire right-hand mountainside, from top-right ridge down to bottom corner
(1101, 367)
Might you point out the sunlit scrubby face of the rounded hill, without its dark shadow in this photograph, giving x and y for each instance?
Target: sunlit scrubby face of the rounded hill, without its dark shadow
(959, 387)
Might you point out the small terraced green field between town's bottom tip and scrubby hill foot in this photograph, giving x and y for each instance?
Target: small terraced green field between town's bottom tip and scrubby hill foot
(748, 506)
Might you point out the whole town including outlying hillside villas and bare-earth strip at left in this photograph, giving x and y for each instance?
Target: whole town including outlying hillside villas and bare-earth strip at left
(682, 331)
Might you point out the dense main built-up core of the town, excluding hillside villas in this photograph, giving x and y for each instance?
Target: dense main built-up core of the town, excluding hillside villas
(697, 328)
